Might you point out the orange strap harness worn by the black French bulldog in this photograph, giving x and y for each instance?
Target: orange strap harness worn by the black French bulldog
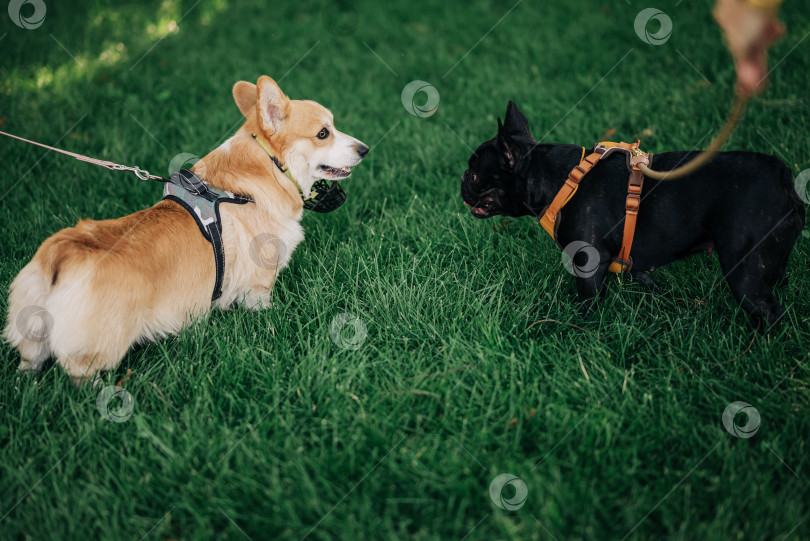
(623, 262)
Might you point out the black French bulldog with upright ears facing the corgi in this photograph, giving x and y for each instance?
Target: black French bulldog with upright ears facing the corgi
(741, 204)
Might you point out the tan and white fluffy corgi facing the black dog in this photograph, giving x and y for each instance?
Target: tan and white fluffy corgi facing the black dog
(93, 290)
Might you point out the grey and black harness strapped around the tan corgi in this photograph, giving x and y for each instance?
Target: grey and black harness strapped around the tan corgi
(202, 202)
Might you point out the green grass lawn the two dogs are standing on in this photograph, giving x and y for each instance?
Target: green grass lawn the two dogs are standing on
(477, 362)
